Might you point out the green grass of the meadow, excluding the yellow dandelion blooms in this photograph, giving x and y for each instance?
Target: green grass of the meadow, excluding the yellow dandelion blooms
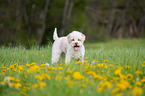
(125, 52)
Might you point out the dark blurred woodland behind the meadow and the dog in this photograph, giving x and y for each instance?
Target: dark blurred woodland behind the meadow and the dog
(32, 22)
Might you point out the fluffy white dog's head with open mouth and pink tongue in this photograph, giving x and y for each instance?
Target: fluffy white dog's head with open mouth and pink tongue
(76, 39)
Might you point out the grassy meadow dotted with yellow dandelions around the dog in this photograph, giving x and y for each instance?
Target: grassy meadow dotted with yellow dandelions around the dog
(113, 68)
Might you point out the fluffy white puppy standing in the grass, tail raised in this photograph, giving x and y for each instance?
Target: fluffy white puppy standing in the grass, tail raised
(71, 45)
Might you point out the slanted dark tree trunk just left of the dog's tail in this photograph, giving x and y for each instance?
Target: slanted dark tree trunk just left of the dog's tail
(44, 24)
